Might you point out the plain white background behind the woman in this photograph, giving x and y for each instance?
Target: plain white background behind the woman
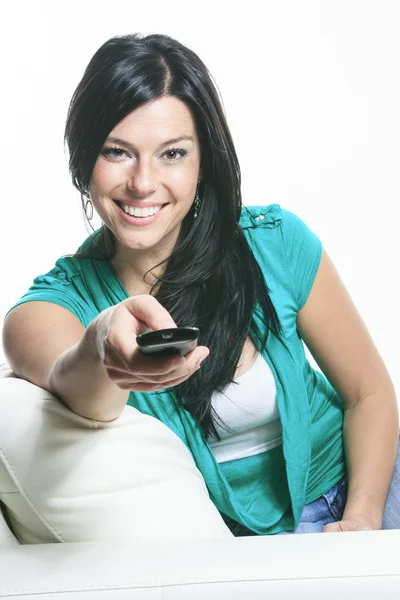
(312, 95)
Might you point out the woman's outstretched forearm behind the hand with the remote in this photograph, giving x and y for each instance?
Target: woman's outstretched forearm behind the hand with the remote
(80, 380)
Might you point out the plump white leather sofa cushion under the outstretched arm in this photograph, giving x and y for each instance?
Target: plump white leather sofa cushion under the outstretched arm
(67, 478)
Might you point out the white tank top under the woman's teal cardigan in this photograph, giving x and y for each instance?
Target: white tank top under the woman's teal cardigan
(248, 408)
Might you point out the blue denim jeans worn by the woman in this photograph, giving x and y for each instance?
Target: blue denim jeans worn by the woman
(329, 508)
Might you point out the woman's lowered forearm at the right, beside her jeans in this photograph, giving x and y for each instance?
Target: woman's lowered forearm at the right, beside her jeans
(371, 433)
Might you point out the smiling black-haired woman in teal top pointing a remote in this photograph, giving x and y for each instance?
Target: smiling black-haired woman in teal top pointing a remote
(281, 447)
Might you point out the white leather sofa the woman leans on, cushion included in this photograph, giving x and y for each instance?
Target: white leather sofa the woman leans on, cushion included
(119, 510)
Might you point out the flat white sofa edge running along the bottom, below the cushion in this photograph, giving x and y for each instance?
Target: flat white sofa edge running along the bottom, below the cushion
(310, 566)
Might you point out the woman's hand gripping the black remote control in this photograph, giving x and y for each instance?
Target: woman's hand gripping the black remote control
(116, 331)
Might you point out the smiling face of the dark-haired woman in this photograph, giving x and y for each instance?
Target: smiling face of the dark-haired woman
(149, 166)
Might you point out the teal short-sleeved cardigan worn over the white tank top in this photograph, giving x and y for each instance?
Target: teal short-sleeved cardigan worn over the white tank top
(266, 492)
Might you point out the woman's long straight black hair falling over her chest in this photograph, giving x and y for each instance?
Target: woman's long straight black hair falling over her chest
(211, 280)
